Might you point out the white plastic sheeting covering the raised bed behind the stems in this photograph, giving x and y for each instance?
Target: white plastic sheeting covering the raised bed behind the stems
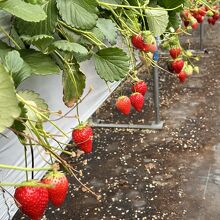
(50, 88)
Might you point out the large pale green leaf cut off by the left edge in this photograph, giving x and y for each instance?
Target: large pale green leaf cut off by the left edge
(9, 109)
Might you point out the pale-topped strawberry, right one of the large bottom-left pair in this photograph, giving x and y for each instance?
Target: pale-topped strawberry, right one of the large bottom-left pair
(58, 192)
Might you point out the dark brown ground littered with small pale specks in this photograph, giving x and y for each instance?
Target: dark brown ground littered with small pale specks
(172, 173)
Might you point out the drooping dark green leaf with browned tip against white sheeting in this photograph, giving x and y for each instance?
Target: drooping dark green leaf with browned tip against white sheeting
(73, 84)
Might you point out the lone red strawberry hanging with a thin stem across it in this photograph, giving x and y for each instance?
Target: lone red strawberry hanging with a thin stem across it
(82, 136)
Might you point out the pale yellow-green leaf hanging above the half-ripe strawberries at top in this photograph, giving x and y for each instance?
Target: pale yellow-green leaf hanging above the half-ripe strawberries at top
(157, 20)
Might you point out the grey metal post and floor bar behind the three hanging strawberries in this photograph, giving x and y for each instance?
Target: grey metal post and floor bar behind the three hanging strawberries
(157, 124)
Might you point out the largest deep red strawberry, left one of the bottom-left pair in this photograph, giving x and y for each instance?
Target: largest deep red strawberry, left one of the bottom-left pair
(32, 200)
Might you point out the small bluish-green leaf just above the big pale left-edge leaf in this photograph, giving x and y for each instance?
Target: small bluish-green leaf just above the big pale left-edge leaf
(13, 61)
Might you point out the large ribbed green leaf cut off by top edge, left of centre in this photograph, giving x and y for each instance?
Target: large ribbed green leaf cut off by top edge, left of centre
(78, 13)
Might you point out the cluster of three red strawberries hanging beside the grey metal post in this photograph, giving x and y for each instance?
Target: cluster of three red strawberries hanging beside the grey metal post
(136, 99)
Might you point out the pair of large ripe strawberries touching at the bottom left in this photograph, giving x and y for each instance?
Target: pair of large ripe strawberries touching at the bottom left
(33, 200)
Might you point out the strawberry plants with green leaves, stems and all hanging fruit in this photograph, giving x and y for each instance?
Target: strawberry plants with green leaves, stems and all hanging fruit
(47, 37)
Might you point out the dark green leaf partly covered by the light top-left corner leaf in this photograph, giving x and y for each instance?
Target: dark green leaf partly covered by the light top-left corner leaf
(45, 27)
